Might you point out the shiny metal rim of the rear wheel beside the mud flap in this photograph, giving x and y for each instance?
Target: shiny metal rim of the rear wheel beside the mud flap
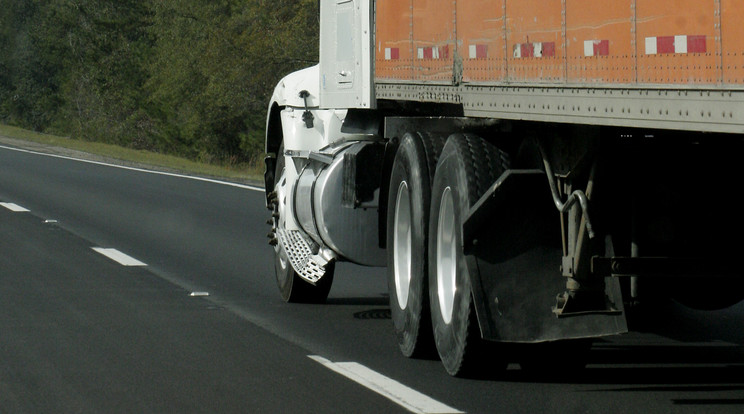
(446, 256)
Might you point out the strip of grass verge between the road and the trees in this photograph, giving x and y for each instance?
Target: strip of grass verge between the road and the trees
(141, 158)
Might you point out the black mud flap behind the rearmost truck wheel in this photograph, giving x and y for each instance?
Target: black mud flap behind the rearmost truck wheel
(512, 241)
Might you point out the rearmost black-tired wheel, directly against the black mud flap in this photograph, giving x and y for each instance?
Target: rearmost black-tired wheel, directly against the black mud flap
(467, 167)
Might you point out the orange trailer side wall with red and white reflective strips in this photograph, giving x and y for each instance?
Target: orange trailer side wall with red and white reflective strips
(573, 42)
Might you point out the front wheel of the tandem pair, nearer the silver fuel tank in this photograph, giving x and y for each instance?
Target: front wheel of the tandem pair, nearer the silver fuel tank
(407, 221)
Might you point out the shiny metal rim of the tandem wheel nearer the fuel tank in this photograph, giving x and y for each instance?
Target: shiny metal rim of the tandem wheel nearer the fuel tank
(402, 245)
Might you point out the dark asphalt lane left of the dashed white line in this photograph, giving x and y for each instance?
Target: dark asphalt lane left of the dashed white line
(81, 333)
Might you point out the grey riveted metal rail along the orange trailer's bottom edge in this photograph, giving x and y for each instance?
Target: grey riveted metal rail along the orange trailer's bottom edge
(689, 109)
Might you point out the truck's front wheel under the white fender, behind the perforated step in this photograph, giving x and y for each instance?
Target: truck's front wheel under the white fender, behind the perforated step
(292, 287)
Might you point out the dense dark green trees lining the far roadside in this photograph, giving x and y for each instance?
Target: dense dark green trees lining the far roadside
(189, 77)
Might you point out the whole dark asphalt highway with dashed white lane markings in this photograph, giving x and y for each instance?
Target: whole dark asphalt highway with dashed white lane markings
(198, 325)
